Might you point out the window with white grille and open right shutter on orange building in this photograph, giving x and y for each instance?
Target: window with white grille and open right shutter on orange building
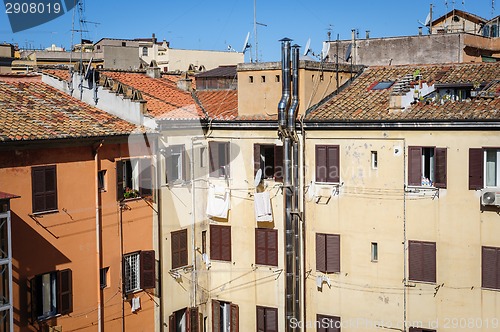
(139, 271)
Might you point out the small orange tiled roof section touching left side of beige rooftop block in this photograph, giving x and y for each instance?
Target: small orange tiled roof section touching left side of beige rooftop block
(219, 104)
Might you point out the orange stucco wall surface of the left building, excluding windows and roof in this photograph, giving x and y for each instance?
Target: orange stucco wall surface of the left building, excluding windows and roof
(67, 238)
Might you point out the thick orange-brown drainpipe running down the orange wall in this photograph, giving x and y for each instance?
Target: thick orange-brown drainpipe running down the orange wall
(98, 236)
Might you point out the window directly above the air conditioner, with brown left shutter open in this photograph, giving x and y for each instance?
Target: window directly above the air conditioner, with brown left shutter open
(484, 168)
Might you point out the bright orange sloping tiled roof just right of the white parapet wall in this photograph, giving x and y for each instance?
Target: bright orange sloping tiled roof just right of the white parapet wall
(164, 99)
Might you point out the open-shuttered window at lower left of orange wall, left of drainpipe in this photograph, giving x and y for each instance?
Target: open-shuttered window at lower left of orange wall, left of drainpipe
(51, 294)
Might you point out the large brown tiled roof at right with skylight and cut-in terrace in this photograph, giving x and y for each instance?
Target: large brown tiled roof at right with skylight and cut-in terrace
(358, 102)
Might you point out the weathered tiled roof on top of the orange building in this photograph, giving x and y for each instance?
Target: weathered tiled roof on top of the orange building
(32, 110)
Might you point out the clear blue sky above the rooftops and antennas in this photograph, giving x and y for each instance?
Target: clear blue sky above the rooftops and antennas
(223, 24)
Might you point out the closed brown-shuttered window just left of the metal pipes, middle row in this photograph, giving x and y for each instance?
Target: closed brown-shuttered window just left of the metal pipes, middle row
(266, 246)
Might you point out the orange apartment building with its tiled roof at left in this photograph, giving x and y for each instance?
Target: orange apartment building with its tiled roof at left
(81, 212)
